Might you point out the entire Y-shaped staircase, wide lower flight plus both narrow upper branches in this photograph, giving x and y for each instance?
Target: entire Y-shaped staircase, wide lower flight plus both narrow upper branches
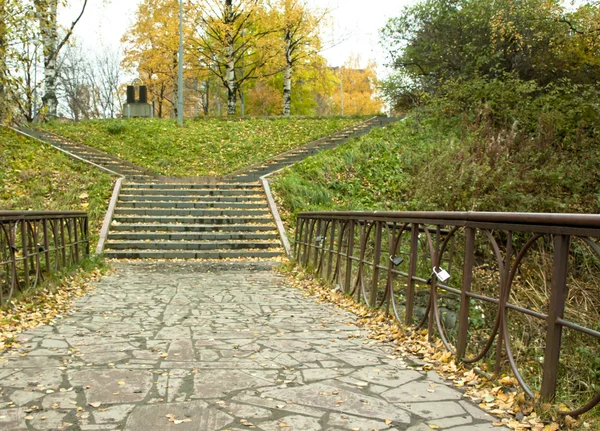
(156, 218)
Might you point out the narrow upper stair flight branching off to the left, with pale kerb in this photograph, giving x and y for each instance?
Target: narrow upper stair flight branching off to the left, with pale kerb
(92, 155)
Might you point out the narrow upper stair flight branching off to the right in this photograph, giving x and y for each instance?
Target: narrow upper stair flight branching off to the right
(254, 172)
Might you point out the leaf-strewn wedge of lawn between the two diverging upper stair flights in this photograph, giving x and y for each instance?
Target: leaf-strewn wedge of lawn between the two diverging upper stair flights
(212, 146)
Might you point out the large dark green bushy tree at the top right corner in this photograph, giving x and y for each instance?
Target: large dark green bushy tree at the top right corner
(438, 41)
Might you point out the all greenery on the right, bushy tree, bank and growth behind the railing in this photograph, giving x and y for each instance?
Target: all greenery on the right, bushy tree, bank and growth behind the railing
(503, 115)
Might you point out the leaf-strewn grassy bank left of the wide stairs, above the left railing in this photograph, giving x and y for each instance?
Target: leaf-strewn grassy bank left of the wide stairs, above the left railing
(33, 176)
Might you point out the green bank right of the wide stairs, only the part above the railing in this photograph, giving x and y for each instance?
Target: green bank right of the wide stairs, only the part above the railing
(409, 167)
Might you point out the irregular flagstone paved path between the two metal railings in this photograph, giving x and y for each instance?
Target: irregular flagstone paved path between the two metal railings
(200, 346)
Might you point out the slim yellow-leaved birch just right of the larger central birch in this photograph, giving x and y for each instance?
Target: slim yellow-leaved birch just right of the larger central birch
(300, 37)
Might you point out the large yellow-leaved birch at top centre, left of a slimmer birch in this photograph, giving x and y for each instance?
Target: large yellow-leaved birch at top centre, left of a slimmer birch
(233, 40)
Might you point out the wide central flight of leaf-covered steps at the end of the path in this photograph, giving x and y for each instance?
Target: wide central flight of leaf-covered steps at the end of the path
(187, 221)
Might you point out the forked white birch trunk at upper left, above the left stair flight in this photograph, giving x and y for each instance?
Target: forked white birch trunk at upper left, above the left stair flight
(46, 14)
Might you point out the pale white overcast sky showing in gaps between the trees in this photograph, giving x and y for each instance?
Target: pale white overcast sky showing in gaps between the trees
(356, 25)
